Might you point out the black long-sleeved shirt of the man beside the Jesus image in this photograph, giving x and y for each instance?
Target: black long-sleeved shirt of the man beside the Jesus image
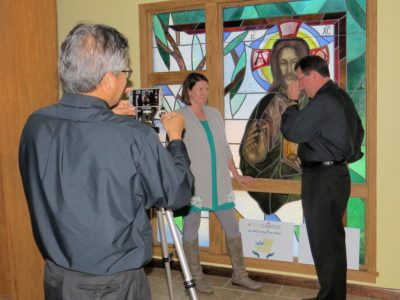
(328, 128)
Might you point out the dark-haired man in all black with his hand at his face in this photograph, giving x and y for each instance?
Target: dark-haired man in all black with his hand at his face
(329, 133)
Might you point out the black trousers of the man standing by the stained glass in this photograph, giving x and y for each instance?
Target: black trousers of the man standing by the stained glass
(325, 193)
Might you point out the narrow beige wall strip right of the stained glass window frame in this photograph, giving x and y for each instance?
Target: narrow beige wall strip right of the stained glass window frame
(388, 205)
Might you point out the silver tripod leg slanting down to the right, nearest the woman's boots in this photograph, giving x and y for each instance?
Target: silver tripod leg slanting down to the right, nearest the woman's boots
(189, 283)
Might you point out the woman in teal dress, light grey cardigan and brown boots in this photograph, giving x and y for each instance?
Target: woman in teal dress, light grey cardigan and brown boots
(211, 161)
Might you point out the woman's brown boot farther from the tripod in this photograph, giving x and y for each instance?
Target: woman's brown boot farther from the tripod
(240, 276)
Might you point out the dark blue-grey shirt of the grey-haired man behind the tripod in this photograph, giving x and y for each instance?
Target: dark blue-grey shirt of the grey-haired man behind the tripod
(89, 176)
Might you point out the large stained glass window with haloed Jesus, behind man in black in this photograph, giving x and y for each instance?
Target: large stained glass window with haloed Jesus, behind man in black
(255, 83)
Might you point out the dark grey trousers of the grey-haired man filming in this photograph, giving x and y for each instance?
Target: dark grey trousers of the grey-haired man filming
(63, 284)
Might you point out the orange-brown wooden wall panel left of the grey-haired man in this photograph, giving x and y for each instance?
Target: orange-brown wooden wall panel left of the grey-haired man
(28, 80)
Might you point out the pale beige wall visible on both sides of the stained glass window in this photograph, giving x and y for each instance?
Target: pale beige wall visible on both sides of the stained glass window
(123, 14)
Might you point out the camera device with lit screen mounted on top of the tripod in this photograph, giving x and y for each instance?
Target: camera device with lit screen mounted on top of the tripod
(147, 103)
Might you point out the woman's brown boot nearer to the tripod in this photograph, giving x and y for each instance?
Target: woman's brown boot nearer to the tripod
(191, 249)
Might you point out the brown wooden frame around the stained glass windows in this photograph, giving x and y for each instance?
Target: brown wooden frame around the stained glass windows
(216, 253)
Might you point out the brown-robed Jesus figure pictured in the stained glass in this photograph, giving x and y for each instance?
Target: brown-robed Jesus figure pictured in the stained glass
(264, 153)
